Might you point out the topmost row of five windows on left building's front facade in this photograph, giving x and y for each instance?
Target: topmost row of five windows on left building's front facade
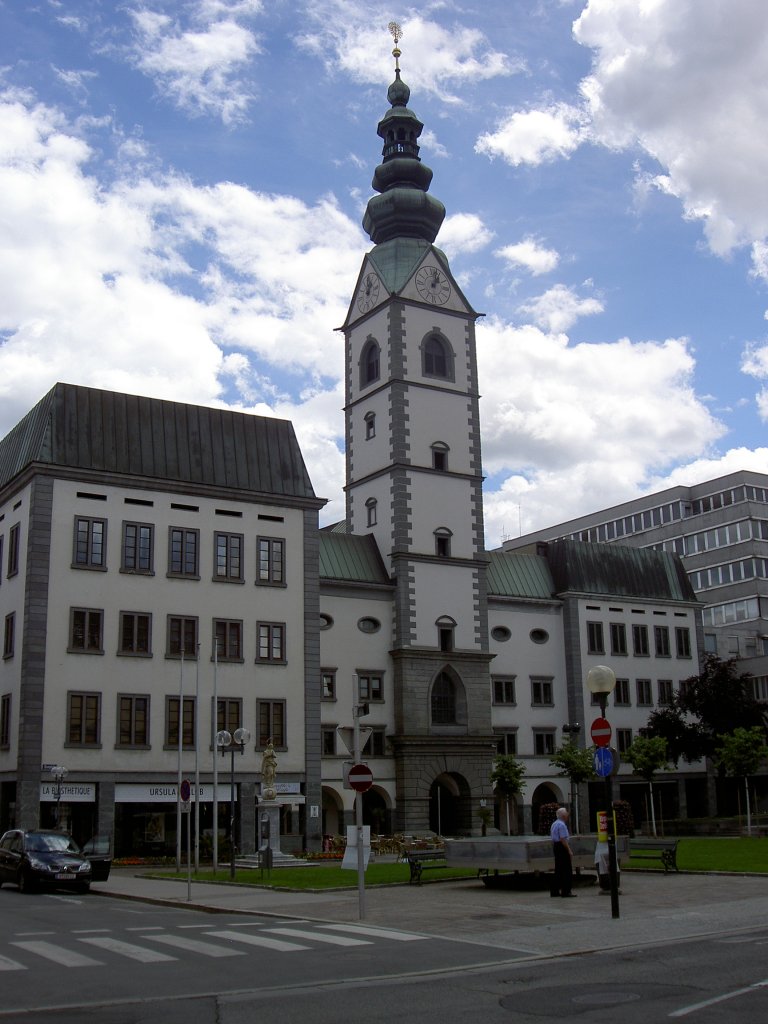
(138, 552)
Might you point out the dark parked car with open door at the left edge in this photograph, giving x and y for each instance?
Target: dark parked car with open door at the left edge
(34, 858)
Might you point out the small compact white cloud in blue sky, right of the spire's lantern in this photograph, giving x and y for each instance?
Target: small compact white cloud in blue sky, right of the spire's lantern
(536, 137)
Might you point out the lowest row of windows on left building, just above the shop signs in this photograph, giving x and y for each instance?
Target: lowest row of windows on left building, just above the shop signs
(84, 715)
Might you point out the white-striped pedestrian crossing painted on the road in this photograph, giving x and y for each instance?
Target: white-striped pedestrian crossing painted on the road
(151, 946)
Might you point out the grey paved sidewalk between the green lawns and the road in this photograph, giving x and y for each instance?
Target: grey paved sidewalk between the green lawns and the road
(654, 908)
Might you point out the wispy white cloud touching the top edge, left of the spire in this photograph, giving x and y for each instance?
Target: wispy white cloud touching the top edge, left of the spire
(199, 68)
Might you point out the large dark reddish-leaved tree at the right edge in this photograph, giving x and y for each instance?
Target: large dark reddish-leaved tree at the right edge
(707, 708)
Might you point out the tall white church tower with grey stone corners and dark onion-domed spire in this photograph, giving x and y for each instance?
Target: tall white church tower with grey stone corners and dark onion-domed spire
(415, 482)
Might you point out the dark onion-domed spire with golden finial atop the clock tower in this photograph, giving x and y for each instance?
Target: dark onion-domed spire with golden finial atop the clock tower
(404, 208)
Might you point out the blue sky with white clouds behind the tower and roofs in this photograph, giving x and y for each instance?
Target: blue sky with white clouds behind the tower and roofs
(182, 190)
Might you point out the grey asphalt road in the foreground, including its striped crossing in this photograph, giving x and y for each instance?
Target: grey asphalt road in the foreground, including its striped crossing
(69, 960)
